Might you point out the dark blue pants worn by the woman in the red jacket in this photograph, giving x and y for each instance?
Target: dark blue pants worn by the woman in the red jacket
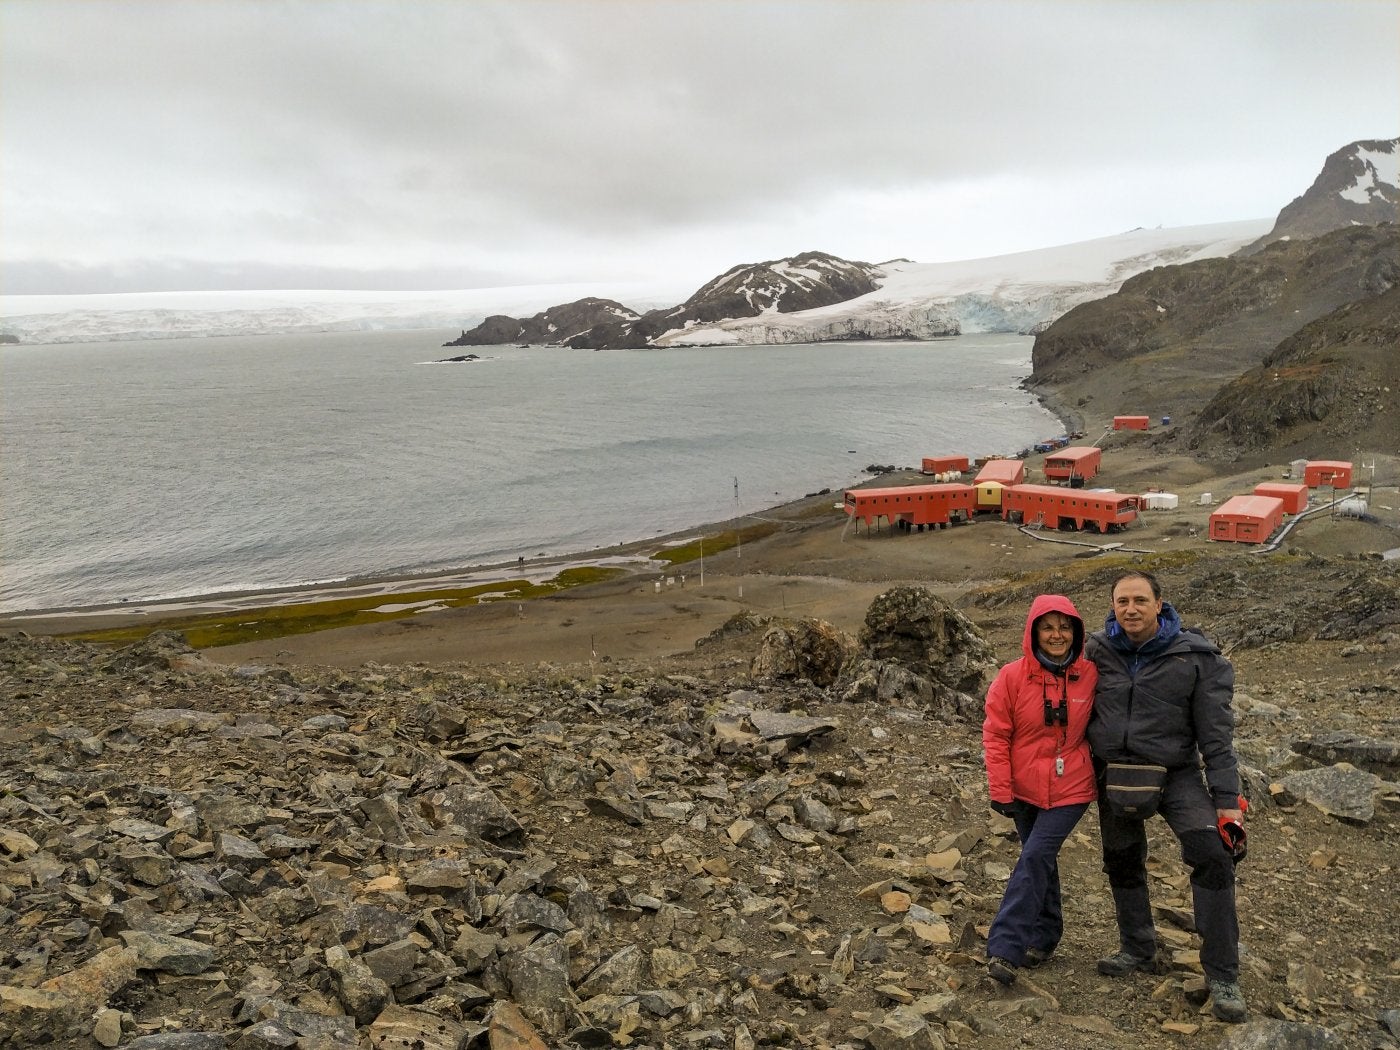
(1031, 915)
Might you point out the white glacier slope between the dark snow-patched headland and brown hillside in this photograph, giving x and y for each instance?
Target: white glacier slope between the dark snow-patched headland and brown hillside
(1009, 293)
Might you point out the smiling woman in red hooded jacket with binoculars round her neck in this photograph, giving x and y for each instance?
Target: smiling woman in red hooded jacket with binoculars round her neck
(1039, 775)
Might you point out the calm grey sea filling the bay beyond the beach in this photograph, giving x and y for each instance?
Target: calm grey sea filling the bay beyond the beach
(184, 467)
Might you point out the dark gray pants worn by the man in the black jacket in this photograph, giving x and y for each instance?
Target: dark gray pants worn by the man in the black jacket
(1189, 813)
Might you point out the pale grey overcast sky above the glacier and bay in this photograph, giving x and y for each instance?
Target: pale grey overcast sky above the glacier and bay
(435, 145)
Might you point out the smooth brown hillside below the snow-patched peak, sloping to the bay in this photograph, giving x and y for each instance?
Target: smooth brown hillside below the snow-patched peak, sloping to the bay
(1171, 338)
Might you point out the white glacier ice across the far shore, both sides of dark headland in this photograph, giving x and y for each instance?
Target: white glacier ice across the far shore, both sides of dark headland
(1009, 293)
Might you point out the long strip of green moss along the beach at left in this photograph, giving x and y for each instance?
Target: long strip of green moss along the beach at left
(211, 631)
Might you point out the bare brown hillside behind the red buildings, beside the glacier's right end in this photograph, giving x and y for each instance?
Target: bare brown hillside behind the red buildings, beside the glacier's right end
(1167, 341)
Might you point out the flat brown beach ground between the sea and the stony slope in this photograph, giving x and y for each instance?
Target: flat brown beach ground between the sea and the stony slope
(808, 563)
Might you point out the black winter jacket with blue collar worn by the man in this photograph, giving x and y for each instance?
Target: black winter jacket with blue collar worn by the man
(1175, 712)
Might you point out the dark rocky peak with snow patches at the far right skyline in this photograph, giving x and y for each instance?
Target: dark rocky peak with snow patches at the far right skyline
(1359, 185)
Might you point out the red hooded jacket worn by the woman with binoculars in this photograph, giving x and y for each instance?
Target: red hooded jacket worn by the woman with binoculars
(1018, 747)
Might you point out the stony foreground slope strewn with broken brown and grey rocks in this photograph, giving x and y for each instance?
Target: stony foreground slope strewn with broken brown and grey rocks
(778, 836)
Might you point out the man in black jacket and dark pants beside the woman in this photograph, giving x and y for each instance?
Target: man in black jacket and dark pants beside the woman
(1164, 698)
